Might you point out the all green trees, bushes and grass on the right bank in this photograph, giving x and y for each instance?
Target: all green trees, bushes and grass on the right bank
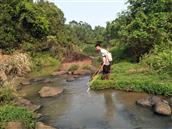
(141, 35)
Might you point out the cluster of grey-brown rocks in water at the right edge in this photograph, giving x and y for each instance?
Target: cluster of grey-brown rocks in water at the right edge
(160, 106)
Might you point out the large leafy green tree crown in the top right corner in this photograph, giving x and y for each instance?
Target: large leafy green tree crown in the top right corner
(144, 25)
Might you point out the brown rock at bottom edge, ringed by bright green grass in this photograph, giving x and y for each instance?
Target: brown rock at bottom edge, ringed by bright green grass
(15, 125)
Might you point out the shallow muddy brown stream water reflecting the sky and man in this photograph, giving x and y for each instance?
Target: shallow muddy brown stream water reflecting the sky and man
(77, 109)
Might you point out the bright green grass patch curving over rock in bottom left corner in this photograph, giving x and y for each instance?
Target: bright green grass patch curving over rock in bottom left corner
(10, 113)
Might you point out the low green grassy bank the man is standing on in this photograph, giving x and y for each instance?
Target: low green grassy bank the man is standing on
(135, 77)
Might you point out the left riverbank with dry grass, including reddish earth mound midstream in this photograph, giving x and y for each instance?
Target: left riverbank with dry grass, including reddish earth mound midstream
(40, 67)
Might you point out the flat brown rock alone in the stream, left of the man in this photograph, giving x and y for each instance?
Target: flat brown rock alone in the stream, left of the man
(50, 91)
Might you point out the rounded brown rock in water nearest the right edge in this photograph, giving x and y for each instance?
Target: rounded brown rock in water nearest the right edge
(162, 109)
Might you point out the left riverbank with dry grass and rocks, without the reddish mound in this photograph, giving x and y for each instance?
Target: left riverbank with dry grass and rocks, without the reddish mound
(14, 71)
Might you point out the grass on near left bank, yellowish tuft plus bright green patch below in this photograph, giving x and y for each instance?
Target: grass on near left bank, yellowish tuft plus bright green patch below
(11, 113)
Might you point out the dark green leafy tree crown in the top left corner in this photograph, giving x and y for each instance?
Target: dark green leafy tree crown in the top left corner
(20, 21)
